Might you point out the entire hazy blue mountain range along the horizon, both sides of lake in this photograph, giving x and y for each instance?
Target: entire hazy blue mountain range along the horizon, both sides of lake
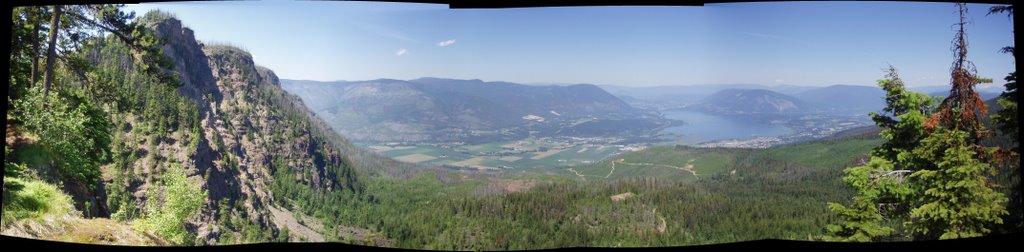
(439, 110)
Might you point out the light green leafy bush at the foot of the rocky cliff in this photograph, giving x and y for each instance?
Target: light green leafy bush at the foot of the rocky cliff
(172, 204)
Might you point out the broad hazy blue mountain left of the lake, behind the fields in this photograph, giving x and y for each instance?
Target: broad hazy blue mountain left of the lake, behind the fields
(449, 110)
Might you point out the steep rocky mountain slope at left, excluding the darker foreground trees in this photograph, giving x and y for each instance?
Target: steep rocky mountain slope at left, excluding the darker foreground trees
(222, 132)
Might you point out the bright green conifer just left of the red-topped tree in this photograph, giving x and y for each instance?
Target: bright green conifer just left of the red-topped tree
(881, 192)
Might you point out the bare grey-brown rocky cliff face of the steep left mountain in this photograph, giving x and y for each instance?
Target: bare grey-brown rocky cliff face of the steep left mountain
(248, 130)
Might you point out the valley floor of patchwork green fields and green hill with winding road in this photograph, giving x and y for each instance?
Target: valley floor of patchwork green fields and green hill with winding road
(675, 163)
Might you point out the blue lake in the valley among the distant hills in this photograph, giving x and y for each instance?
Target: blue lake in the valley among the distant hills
(704, 128)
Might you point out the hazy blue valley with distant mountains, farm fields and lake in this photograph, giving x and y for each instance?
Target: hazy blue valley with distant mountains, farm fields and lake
(478, 125)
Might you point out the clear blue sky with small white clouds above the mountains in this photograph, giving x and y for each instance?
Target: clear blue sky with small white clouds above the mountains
(777, 44)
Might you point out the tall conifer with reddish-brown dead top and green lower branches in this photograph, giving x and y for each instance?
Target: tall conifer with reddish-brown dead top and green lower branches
(957, 200)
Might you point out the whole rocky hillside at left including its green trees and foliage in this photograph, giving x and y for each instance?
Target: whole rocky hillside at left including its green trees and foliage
(193, 148)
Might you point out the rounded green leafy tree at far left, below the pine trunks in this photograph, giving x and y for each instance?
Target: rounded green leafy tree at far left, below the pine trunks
(74, 131)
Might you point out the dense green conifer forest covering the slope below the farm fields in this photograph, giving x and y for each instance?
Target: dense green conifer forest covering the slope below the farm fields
(770, 197)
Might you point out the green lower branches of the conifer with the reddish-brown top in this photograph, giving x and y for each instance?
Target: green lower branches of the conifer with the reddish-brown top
(957, 201)
